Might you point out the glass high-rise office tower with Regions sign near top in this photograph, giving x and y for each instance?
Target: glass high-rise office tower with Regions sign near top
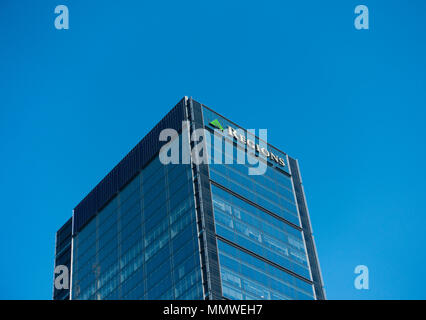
(200, 227)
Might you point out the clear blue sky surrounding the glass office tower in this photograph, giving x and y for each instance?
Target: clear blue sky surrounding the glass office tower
(349, 104)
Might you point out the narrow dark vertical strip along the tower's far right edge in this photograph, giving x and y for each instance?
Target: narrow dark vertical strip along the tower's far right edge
(307, 229)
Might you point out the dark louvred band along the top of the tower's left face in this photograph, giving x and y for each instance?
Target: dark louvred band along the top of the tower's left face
(134, 161)
